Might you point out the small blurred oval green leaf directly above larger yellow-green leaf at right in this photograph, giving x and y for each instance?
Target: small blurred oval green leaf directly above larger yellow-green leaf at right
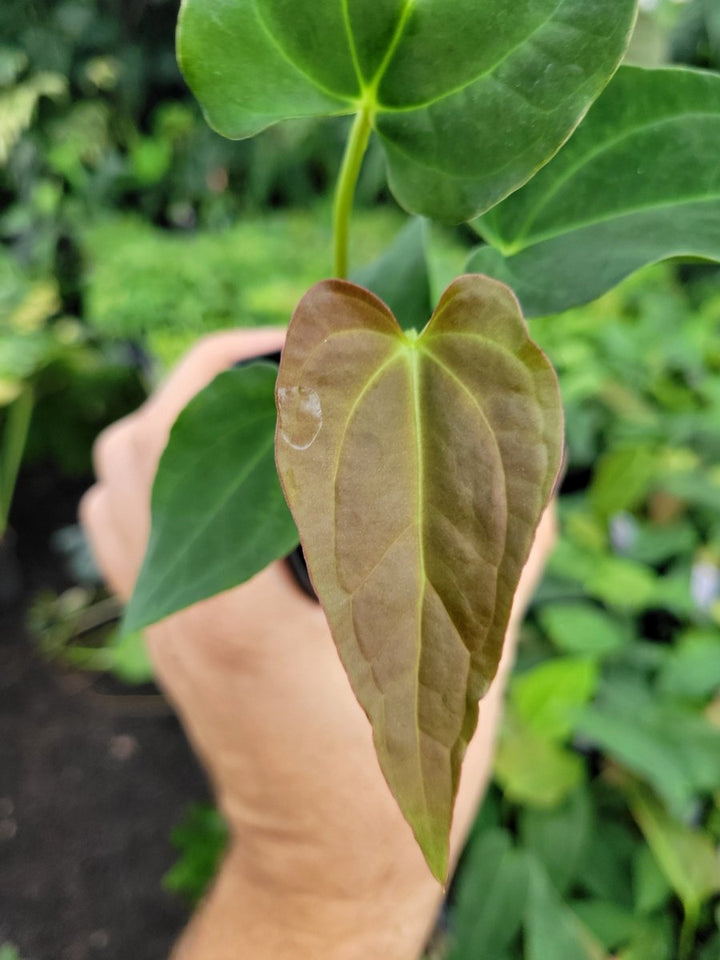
(582, 628)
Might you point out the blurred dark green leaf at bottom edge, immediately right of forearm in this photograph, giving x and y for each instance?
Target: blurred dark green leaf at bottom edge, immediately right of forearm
(492, 891)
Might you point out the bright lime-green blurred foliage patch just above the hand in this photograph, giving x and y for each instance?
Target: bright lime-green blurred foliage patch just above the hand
(165, 289)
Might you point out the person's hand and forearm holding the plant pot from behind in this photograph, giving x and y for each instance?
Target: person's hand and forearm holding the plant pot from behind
(322, 863)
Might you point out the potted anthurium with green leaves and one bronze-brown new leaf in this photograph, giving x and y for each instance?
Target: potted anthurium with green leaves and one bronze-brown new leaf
(413, 456)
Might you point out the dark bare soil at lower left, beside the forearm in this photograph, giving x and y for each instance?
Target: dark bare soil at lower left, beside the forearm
(93, 776)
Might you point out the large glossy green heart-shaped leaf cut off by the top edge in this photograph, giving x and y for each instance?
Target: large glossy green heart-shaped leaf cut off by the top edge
(468, 97)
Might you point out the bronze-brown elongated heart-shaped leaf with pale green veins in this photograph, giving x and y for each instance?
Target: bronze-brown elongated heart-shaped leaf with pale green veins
(417, 469)
